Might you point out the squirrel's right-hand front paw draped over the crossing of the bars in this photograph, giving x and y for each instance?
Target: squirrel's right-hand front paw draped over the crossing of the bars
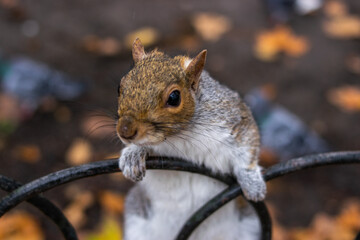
(252, 184)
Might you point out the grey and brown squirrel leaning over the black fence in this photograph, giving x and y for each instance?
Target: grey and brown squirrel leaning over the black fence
(172, 107)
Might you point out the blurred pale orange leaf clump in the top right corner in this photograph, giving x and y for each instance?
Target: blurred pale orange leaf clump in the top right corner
(340, 23)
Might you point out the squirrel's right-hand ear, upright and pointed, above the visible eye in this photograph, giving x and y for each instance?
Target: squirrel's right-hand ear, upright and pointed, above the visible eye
(194, 69)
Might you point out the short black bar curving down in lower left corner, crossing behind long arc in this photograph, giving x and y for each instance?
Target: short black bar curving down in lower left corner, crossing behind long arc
(44, 205)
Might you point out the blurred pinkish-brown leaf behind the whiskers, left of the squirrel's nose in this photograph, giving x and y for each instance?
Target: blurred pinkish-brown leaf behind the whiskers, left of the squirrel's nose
(98, 126)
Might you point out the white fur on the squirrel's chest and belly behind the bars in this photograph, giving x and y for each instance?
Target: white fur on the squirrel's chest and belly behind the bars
(175, 196)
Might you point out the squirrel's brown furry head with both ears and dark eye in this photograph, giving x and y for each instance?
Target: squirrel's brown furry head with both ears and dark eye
(157, 97)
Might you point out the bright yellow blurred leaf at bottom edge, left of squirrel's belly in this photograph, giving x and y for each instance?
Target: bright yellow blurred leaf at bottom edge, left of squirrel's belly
(110, 230)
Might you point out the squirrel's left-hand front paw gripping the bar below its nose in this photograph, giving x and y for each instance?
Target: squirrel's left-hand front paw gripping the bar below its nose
(132, 163)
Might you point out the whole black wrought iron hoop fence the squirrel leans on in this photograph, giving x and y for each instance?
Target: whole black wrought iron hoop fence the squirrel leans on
(29, 191)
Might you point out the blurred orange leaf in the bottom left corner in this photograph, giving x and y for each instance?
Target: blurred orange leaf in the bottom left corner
(19, 226)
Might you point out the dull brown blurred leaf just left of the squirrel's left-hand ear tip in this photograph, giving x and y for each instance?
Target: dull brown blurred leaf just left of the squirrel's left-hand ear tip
(108, 46)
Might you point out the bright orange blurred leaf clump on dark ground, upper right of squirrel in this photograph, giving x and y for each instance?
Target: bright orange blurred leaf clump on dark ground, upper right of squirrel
(269, 44)
